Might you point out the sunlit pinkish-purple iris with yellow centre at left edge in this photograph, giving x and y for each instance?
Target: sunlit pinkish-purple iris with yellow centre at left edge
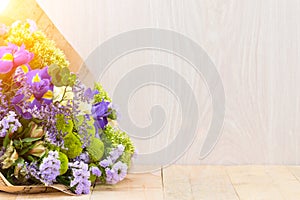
(12, 56)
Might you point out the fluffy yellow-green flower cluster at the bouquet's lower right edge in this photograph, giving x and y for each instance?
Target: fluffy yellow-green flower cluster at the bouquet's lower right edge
(115, 137)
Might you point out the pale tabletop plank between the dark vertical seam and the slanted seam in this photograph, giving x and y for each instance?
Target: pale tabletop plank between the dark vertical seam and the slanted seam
(197, 182)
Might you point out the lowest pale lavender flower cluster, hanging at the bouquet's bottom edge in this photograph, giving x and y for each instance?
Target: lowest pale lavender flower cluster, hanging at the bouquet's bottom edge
(81, 177)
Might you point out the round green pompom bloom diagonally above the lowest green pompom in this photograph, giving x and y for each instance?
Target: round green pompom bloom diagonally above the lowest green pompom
(73, 145)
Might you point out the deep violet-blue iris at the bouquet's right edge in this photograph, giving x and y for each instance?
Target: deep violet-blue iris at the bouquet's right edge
(100, 113)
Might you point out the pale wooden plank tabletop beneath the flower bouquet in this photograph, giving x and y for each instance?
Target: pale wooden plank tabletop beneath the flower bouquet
(195, 182)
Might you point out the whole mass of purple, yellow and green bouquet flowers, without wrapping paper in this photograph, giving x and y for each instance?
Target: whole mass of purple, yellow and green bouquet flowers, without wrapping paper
(52, 128)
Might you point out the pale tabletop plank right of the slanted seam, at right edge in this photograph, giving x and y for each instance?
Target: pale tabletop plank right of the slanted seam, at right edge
(264, 182)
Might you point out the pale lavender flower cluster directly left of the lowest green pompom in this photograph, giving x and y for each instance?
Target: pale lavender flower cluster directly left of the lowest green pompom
(49, 168)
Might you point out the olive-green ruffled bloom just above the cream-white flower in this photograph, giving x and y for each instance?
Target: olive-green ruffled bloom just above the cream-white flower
(61, 76)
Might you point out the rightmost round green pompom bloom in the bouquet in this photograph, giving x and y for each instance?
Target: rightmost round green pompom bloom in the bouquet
(95, 149)
